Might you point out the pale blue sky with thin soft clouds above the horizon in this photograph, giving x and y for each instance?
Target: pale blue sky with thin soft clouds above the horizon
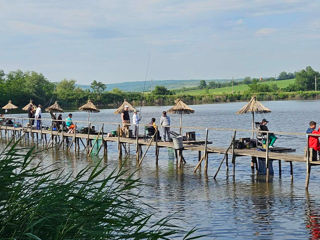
(115, 41)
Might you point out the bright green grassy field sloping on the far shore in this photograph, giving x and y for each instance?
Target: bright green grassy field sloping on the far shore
(238, 88)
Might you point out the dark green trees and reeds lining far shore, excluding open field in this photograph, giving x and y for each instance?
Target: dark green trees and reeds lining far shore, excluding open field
(20, 87)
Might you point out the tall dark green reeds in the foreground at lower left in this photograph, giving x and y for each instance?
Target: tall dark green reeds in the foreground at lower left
(36, 203)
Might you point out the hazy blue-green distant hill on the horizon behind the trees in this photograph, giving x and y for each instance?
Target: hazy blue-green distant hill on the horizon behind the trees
(140, 86)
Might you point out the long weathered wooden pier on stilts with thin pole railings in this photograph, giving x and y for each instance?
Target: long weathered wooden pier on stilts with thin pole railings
(86, 142)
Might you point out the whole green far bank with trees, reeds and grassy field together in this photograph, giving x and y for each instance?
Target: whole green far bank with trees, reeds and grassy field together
(21, 86)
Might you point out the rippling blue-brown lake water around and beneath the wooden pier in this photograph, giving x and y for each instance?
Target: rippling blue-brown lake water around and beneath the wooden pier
(240, 207)
